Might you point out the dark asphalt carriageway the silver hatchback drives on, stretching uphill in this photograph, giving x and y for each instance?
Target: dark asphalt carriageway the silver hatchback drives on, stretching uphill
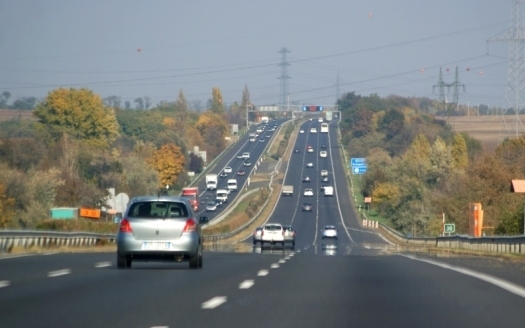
(364, 282)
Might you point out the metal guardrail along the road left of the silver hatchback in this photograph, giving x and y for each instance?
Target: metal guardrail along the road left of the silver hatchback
(51, 239)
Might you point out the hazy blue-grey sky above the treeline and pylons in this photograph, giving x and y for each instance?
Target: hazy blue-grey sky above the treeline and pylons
(157, 48)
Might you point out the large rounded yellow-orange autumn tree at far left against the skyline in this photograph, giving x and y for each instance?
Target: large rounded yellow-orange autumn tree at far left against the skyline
(78, 113)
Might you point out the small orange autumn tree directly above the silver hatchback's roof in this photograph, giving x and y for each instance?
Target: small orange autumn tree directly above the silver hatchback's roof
(169, 162)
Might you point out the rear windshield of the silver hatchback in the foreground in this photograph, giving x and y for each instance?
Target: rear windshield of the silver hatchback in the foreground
(158, 209)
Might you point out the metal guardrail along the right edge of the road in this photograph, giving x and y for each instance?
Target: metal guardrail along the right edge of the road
(503, 244)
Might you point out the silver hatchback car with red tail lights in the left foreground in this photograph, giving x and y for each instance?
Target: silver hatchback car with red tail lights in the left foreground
(159, 229)
